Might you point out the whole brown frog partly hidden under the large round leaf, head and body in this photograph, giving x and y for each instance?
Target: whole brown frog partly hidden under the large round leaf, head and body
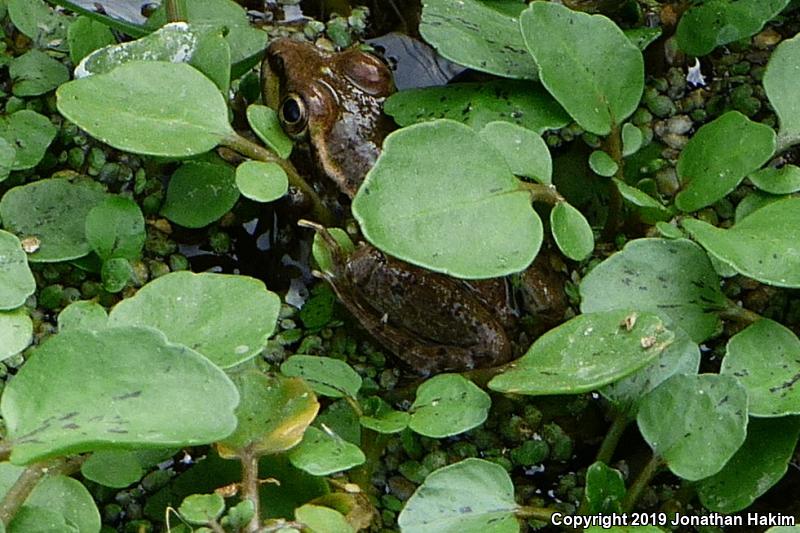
(433, 322)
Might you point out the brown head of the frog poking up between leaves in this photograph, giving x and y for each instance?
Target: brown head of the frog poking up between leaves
(332, 100)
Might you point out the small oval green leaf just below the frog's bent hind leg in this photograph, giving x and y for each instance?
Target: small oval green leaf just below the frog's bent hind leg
(327, 376)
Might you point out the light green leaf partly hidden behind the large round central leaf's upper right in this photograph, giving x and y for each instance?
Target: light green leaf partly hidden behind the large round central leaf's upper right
(524, 150)
